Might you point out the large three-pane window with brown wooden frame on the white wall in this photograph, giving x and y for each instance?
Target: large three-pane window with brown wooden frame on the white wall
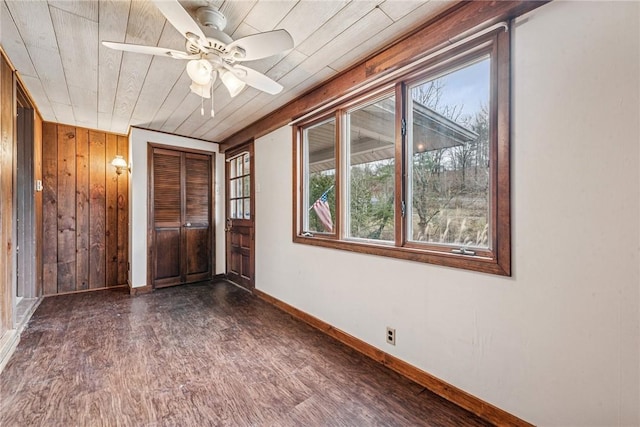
(417, 168)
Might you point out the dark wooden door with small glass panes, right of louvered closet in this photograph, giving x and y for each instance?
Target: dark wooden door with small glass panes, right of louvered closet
(240, 216)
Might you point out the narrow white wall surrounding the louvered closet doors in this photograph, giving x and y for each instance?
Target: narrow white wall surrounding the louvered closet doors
(138, 143)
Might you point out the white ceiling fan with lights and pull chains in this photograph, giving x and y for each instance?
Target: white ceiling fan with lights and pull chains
(212, 53)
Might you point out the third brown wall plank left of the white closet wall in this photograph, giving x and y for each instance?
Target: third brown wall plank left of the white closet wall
(97, 273)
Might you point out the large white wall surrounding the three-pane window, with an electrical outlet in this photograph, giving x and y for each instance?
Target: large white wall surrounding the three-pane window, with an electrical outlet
(557, 343)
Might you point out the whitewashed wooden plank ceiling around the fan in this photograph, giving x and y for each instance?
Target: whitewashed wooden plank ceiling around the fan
(55, 46)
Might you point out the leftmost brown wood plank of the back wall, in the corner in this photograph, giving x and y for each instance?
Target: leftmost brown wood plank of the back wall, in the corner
(50, 208)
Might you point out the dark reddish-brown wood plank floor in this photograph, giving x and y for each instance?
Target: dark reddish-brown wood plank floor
(199, 355)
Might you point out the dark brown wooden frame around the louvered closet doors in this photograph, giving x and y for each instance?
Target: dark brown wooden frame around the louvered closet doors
(150, 211)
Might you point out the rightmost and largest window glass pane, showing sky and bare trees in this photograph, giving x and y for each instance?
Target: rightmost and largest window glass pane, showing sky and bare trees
(448, 125)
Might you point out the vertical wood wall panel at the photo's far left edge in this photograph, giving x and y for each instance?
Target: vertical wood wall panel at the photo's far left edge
(6, 201)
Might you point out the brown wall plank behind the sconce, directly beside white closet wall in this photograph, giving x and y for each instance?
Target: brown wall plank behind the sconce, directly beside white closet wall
(123, 215)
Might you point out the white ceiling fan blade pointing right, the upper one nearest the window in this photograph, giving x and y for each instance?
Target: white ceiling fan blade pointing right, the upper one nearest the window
(261, 45)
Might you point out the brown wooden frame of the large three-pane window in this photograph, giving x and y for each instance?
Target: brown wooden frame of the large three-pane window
(495, 260)
